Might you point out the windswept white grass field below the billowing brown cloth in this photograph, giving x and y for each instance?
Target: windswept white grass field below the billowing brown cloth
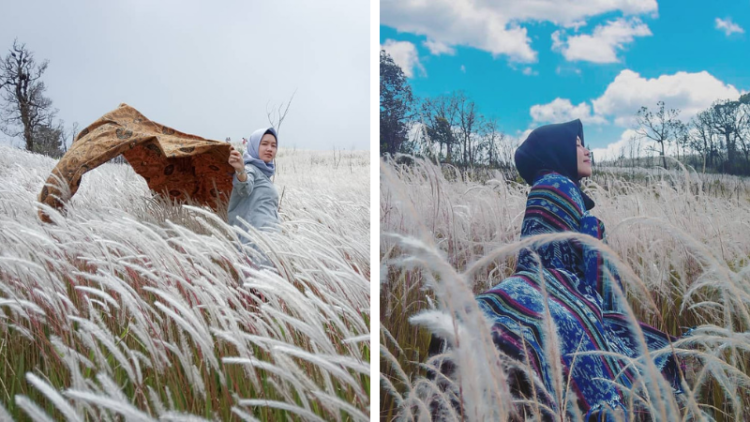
(132, 308)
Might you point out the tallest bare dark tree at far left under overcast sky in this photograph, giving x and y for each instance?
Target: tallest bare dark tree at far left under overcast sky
(25, 107)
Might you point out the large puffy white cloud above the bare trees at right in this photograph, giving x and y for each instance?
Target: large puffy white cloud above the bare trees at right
(689, 92)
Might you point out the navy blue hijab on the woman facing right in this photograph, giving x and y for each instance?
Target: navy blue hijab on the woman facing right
(552, 148)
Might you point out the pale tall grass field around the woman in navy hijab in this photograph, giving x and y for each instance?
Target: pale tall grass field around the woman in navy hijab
(680, 241)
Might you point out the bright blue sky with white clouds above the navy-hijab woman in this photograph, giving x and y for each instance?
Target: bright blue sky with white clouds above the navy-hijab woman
(535, 62)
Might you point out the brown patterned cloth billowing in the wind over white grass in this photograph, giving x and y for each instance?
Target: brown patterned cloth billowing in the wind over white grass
(174, 164)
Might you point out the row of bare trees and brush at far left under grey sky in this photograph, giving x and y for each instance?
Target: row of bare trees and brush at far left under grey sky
(25, 111)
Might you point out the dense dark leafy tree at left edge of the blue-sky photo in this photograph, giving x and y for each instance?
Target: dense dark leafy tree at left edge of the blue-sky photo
(396, 102)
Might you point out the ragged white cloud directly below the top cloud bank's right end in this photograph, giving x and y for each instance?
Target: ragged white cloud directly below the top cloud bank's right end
(603, 44)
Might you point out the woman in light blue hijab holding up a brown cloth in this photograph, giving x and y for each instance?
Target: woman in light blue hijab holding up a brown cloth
(254, 197)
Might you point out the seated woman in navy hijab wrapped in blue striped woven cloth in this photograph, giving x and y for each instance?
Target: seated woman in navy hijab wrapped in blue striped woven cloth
(581, 297)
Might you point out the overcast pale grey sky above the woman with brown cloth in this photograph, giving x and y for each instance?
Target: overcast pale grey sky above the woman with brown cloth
(206, 68)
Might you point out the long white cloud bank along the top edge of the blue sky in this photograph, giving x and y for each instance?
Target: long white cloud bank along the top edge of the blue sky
(493, 26)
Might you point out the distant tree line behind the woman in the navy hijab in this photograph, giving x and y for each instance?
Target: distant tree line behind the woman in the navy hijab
(450, 129)
